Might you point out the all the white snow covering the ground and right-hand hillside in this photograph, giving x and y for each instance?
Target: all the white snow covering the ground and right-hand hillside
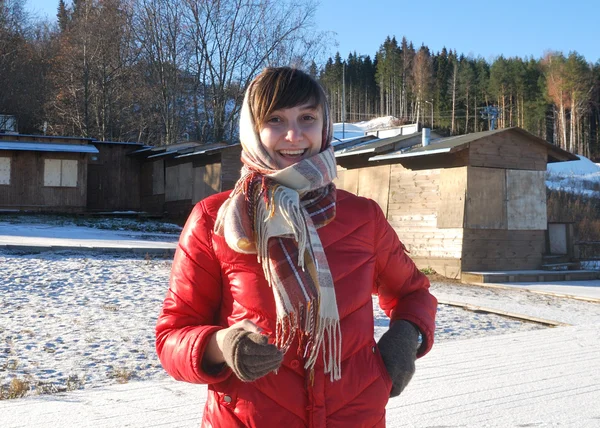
(77, 323)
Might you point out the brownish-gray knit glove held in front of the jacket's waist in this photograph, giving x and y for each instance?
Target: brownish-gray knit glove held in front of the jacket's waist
(249, 355)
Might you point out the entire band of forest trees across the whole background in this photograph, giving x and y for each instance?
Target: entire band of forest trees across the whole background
(164, 71)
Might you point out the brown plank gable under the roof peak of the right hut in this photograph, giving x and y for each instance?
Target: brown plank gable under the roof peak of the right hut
(508, 150)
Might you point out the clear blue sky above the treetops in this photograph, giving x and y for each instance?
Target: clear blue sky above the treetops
(480, 28)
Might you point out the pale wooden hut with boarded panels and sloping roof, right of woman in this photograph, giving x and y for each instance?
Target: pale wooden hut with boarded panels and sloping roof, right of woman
(465, 203)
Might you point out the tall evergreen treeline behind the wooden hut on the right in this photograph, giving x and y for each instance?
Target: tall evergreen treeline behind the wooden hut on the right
(556, 97)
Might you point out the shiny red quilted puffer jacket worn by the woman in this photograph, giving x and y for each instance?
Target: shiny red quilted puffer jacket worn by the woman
(212, 287)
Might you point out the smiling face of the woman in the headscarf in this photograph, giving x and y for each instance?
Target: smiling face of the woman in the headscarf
(292, 134)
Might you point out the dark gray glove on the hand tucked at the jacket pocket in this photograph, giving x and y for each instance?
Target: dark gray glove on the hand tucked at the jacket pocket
(398, 348)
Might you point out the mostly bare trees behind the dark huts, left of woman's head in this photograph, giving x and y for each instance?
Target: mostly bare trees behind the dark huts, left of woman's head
(157, 71)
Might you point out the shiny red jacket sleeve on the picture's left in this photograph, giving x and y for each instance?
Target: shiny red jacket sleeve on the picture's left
(190, 309)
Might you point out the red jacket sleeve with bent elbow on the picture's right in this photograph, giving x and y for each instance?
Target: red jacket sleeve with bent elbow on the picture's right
(402, 289)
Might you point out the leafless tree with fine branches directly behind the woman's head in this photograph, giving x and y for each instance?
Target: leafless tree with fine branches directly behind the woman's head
(232, 40)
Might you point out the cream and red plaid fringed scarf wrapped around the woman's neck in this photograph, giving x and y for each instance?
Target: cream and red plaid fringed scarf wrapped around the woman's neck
(275, 214)
